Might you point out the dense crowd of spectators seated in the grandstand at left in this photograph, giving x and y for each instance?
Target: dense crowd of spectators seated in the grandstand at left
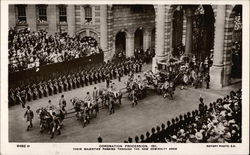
(32, 49)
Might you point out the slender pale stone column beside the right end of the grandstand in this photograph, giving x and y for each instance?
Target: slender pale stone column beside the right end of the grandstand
(104, 28)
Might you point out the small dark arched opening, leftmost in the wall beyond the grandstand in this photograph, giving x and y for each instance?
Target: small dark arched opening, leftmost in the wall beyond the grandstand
(120, 44)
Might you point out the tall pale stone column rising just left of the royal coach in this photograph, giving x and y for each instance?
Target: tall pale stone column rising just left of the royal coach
(159, 40)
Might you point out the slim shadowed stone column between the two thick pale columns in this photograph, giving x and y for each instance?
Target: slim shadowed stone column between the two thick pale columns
(189, 31)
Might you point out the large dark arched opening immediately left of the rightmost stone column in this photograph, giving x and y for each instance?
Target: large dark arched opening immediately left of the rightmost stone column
(203, 31)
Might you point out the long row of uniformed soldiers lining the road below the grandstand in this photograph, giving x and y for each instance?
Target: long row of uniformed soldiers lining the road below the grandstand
(107, 71)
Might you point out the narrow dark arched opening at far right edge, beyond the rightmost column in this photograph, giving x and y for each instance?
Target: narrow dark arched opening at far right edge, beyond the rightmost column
(236, 55)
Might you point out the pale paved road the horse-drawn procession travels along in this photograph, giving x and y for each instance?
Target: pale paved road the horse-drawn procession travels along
(127, 121)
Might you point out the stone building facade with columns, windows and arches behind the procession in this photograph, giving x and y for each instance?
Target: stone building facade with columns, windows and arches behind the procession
(147, 26)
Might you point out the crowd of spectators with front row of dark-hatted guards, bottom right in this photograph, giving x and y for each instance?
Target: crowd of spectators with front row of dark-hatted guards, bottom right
(217, 122)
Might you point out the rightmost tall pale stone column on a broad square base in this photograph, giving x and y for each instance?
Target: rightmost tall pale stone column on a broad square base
(216, 72)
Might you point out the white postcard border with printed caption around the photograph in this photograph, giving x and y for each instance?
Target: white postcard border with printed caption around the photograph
(67, 148)
